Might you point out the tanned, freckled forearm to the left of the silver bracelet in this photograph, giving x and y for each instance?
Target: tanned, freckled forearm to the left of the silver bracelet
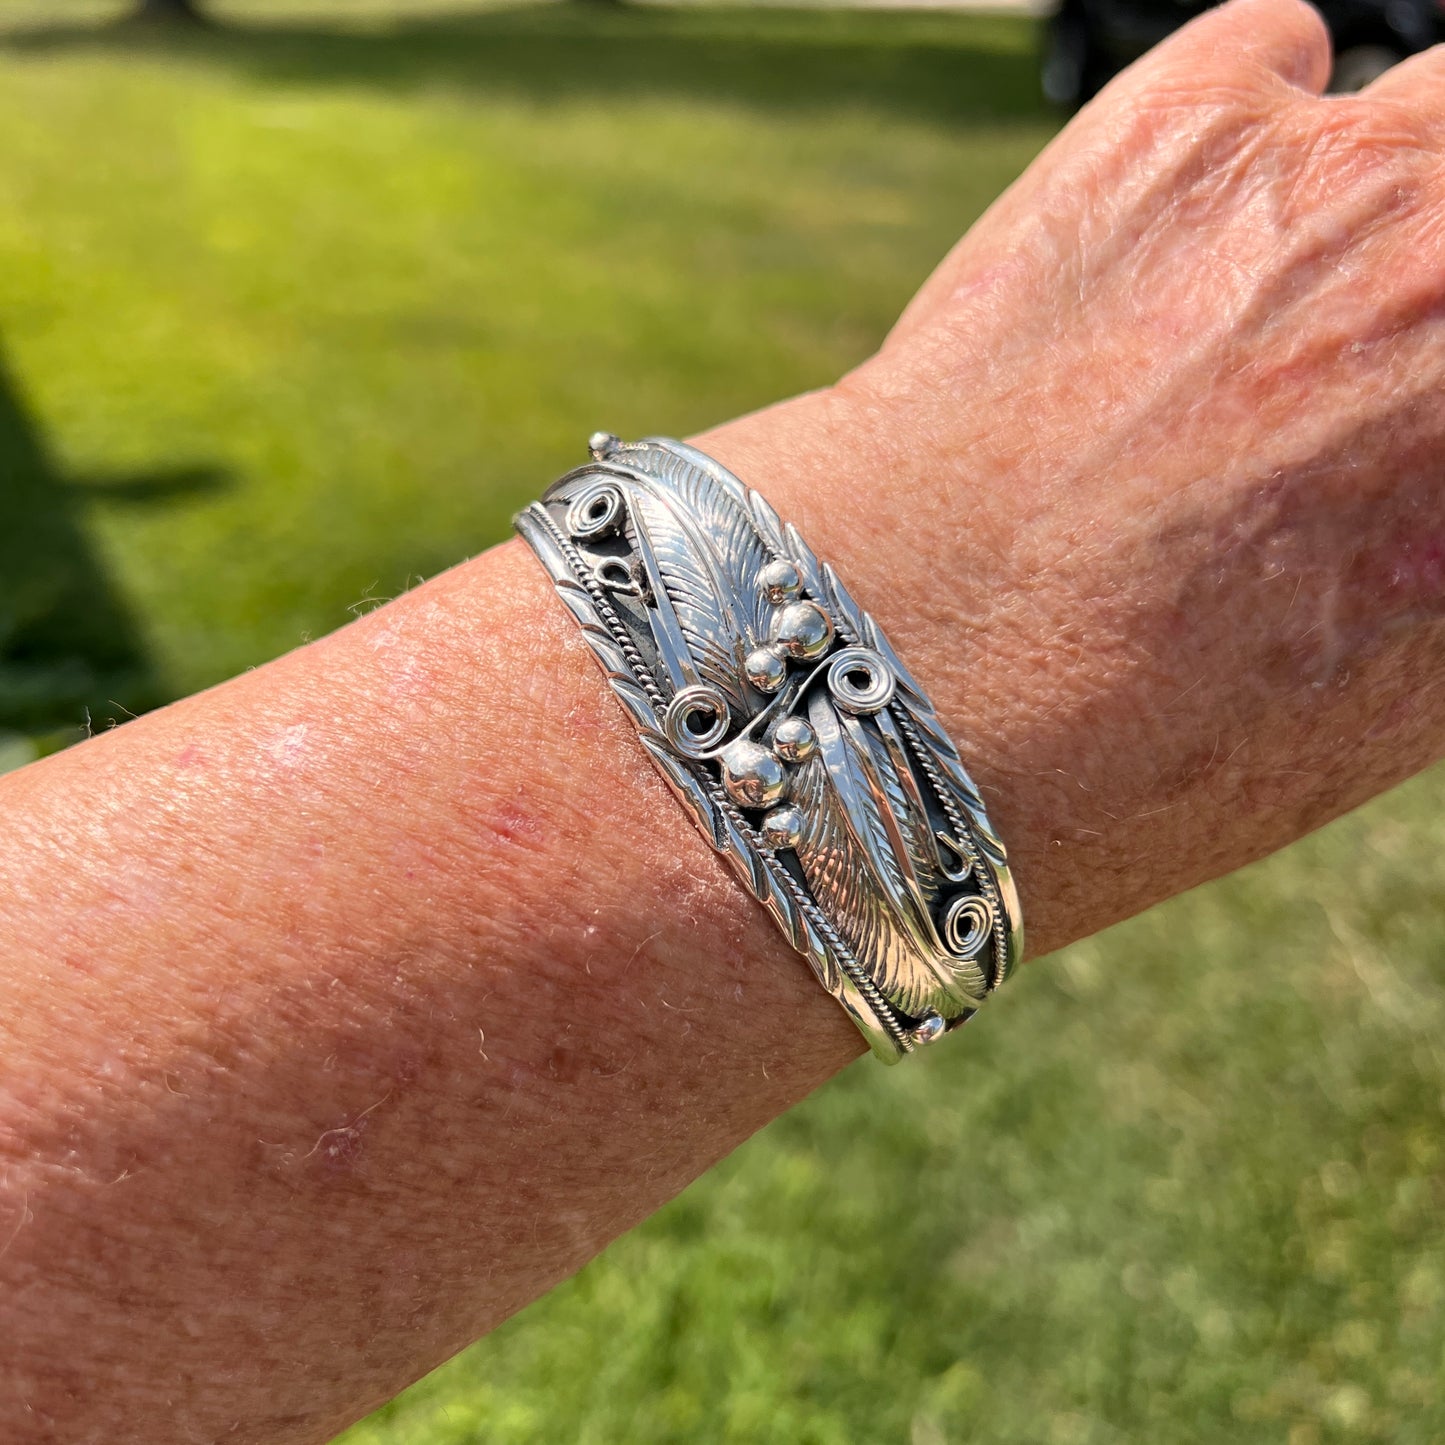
(368, 988)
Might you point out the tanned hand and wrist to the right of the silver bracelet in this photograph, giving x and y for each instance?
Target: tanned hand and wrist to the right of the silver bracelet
(1157, 457)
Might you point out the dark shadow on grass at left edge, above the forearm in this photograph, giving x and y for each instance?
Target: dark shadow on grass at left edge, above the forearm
(70, 652)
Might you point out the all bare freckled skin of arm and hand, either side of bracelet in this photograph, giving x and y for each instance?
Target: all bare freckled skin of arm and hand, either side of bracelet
(376, 991)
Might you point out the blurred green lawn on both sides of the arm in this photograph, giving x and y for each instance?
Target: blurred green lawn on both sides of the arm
(294, 316)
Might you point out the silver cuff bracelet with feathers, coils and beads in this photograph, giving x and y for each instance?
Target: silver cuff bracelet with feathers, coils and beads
(791, 732)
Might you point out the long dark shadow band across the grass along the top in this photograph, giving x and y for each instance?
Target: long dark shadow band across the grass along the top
(937, 67)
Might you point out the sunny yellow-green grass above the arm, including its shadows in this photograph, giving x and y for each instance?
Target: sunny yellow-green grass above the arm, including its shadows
(304, 314)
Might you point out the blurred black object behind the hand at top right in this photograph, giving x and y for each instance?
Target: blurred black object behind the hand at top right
(1087, 43)
